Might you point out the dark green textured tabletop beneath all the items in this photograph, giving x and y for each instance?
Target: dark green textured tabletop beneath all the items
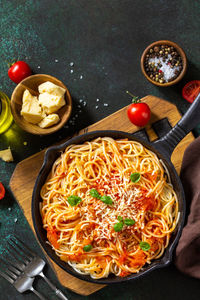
(105, 40)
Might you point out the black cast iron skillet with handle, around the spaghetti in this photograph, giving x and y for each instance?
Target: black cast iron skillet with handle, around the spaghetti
(163, 148)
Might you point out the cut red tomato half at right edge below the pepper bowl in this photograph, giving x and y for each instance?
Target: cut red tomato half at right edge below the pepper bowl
(191, 90)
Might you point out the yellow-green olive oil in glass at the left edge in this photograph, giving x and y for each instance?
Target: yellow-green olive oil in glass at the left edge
(6, 117)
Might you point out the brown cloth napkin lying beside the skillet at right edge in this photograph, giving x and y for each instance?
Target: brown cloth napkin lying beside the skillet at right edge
(188, 250)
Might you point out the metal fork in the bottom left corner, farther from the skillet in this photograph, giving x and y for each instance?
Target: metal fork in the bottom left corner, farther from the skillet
(19, 280)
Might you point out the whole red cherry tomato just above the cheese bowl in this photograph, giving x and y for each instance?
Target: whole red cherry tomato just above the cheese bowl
(18, 71)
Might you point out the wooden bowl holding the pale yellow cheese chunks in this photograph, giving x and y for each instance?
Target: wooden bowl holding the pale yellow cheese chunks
(31, 83)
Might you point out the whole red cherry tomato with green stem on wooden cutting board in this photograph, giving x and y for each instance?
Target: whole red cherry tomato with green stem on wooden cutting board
(139, 113)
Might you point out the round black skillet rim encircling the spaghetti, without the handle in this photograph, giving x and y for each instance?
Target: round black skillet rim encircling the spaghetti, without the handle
(111, 279)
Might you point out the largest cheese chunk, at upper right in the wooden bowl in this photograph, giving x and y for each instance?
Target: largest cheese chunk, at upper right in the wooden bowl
(51, 103)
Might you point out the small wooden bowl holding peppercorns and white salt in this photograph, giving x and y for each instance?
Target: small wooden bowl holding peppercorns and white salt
(178, 49)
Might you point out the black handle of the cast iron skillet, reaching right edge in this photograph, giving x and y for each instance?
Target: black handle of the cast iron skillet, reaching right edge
(188, 122)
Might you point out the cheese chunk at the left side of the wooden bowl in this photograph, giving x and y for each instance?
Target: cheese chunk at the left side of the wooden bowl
(31, 110)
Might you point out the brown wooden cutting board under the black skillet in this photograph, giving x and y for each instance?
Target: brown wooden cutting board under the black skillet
(164, 115)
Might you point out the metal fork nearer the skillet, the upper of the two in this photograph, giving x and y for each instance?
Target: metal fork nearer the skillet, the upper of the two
(31, 264)
